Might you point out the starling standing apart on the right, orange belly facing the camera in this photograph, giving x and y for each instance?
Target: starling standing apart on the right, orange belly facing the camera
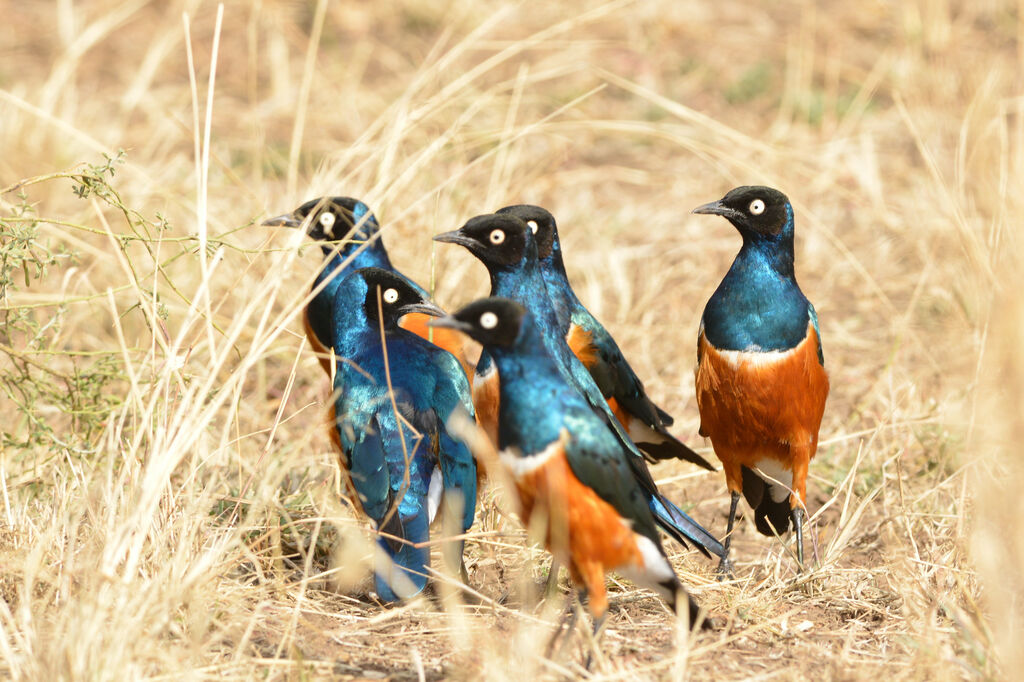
(761, 382)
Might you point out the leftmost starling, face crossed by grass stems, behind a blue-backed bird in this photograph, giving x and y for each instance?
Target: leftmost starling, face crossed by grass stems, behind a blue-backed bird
(333, 220)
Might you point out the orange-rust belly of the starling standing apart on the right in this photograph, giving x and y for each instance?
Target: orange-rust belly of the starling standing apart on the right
(757, 405)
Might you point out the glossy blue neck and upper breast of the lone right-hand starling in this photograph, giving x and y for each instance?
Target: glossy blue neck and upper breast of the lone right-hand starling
(759, 307)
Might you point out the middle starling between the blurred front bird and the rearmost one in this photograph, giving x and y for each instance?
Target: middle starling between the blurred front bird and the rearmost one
(505, 244)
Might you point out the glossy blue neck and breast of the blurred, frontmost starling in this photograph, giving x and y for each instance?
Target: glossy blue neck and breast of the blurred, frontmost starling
(531, 388)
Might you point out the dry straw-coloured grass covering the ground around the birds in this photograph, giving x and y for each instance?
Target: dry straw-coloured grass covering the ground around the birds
(169, 496)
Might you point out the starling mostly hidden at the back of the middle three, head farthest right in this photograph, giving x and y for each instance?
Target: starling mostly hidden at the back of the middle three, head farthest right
(590, 342)
